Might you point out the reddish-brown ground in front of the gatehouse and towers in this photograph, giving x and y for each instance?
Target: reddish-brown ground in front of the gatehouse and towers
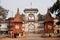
(31, 36)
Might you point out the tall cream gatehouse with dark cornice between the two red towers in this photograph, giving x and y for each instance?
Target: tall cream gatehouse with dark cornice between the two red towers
(31, 19)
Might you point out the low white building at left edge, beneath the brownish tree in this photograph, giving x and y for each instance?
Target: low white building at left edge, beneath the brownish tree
(3, 27)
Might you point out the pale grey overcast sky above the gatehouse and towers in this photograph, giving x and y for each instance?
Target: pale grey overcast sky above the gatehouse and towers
(12, 5)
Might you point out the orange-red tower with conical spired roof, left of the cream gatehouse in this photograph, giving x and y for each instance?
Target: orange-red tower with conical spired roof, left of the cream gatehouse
(18, 22)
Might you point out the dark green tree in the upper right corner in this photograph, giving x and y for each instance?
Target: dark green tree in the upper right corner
(56, 8)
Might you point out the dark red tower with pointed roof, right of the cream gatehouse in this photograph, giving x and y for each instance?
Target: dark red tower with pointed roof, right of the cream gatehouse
(49, 24)
